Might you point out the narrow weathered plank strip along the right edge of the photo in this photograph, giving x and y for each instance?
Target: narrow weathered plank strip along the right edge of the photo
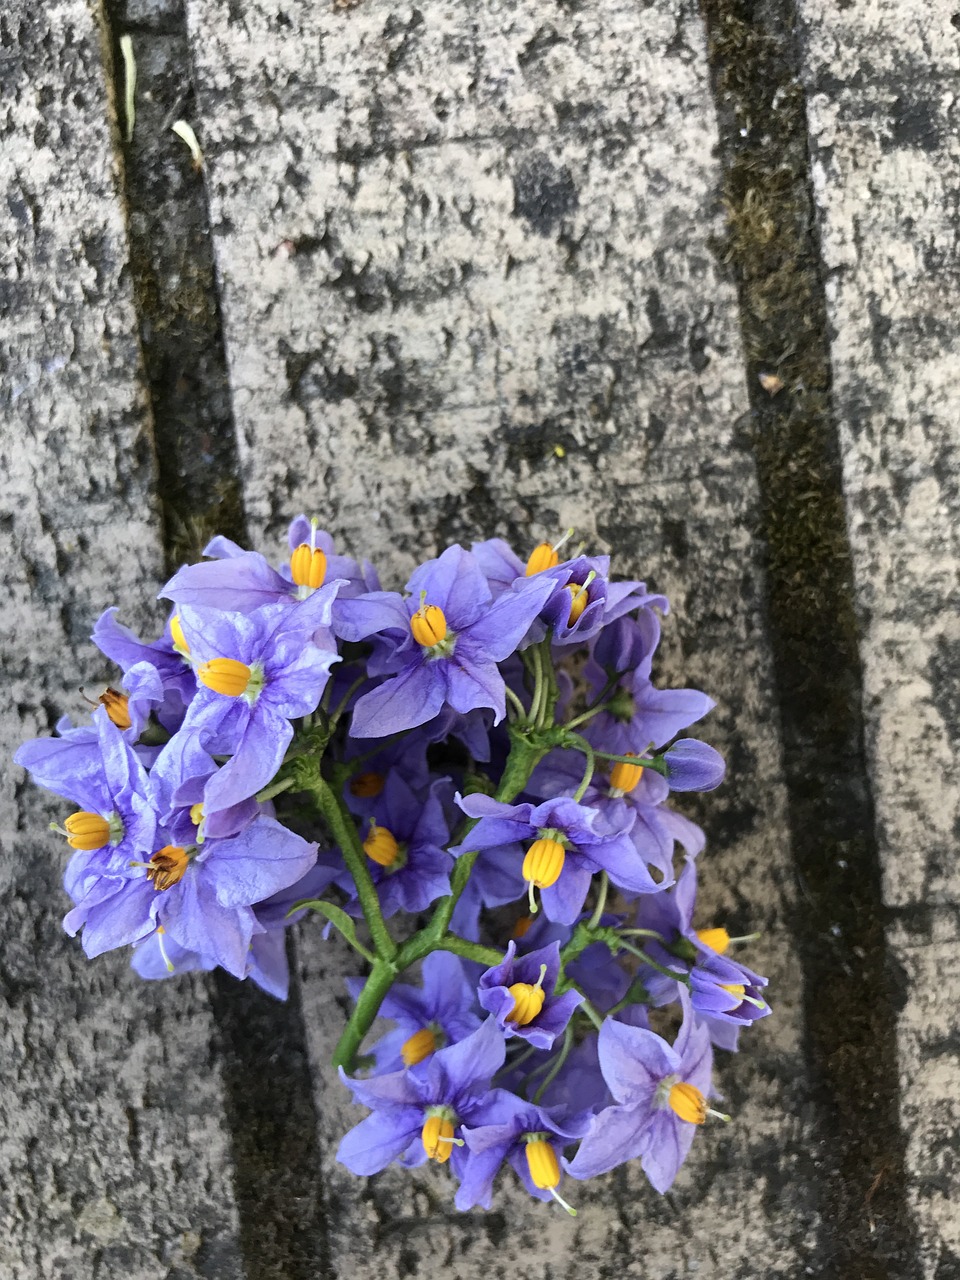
(883, 81)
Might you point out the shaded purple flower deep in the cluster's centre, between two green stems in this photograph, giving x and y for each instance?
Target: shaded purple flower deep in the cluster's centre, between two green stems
(406, 847)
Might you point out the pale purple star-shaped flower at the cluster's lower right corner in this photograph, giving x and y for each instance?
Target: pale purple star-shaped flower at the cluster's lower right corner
(661, 1096)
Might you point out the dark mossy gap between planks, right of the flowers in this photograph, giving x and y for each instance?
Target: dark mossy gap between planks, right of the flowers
(771, 246)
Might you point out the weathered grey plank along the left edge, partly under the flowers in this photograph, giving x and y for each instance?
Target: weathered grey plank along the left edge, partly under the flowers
(113, 1156)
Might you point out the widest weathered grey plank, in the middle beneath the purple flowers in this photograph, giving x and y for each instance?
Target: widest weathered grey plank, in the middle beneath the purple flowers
(467, 291)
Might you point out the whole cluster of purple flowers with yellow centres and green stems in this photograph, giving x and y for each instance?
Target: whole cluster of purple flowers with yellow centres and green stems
(483, 756)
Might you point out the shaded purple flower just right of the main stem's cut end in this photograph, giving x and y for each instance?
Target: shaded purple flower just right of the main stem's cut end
(428, 1018)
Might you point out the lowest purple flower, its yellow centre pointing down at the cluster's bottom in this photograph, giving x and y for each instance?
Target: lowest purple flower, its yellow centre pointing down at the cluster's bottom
(532, 1141)
